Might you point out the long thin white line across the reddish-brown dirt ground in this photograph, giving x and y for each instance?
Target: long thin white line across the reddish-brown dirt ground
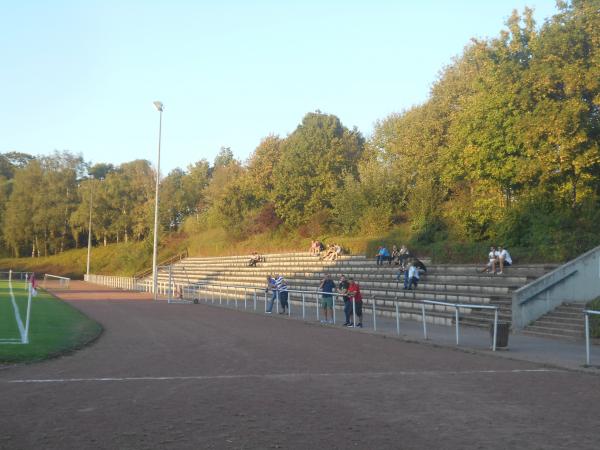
(283, 376)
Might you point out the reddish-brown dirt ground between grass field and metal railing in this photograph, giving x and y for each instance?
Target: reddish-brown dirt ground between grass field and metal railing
(200, 376)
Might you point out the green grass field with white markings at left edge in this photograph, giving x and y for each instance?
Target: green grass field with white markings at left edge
(55, 327)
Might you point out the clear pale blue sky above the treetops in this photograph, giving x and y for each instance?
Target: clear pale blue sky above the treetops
(82, 75)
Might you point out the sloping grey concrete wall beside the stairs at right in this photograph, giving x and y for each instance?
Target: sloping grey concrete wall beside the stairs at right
(576, 281)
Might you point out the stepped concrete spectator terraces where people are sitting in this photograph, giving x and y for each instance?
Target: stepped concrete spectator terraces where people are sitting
(447, 283)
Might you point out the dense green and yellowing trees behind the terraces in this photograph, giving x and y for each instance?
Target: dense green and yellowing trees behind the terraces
(505, 150)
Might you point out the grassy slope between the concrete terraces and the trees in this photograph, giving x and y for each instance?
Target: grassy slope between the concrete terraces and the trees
(127, 259)
